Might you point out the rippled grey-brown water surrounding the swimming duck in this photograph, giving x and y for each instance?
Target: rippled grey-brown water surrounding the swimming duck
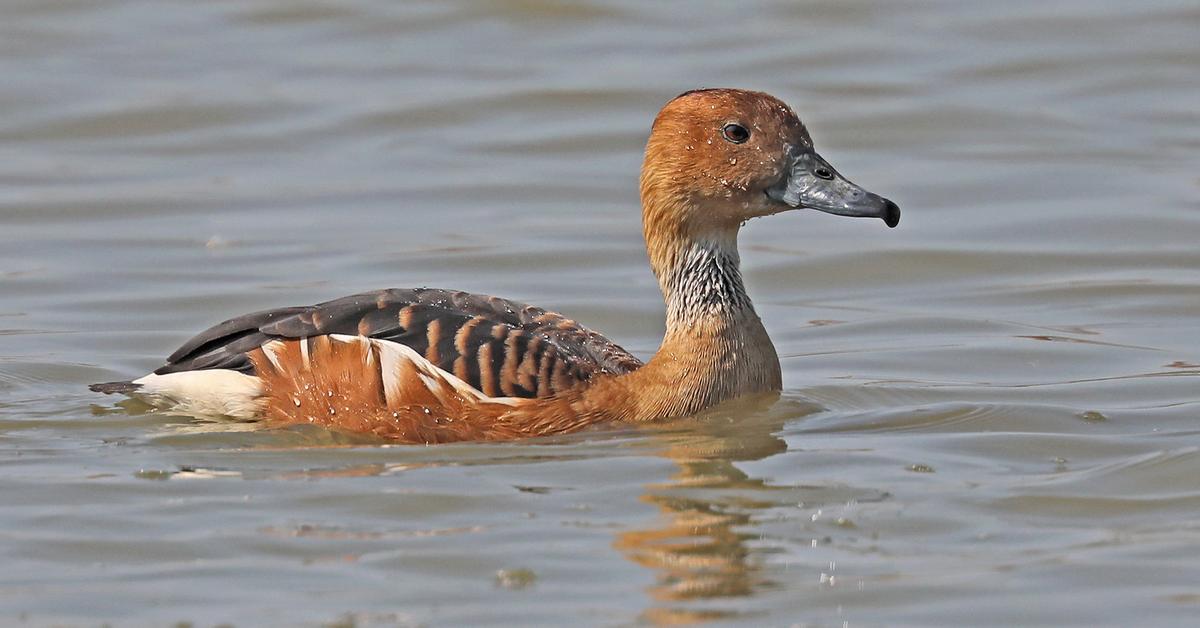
(992, 415)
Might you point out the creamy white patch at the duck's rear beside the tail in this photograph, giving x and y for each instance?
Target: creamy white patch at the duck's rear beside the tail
(211, 393)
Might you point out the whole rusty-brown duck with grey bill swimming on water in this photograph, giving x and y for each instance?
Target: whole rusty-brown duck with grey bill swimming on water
(427, 366)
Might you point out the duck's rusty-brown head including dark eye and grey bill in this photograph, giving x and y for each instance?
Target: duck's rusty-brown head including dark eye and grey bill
(718, 158)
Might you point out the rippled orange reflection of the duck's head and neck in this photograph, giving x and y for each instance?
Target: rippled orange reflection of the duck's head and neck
(699, 549)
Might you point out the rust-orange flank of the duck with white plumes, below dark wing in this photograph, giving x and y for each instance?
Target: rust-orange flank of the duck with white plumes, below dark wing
(350, 384)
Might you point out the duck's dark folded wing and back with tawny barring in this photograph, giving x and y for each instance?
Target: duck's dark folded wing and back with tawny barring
(500, 346)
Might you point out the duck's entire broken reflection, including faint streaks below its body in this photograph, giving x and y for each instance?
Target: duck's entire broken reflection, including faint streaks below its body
(700, 547)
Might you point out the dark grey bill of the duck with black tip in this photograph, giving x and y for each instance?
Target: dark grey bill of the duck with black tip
(814, 184)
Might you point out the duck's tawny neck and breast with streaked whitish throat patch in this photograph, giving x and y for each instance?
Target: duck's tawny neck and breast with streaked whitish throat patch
(716, 346)
